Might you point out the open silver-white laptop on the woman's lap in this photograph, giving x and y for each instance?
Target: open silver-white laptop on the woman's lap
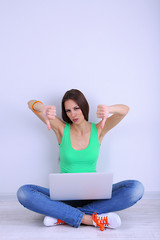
(80, 186)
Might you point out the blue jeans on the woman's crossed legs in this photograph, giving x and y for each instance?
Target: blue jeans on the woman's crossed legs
(124, 195)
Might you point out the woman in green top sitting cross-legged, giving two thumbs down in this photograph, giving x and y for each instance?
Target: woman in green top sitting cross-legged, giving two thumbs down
(79, 144)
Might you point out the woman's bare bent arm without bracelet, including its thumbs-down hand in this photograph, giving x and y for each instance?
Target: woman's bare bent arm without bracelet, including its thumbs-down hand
(119, 111)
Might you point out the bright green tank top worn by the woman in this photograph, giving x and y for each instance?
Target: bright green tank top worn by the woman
(76, 161)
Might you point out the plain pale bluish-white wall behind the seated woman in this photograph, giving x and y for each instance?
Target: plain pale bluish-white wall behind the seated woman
(110, 51)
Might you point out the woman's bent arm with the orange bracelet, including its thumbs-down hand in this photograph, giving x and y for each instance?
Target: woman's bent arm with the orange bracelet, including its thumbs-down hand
(48, 115)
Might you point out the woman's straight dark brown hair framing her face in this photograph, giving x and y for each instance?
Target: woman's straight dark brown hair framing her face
(79, 98)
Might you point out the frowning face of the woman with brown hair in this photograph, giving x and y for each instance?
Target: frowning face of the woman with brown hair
(73, 111)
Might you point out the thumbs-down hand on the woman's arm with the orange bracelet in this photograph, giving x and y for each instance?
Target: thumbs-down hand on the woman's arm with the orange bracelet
(49, 113)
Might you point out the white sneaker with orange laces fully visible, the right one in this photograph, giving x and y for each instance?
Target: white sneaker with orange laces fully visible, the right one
(110, 220)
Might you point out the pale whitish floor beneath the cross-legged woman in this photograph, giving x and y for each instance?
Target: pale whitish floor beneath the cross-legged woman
(142, 221)
